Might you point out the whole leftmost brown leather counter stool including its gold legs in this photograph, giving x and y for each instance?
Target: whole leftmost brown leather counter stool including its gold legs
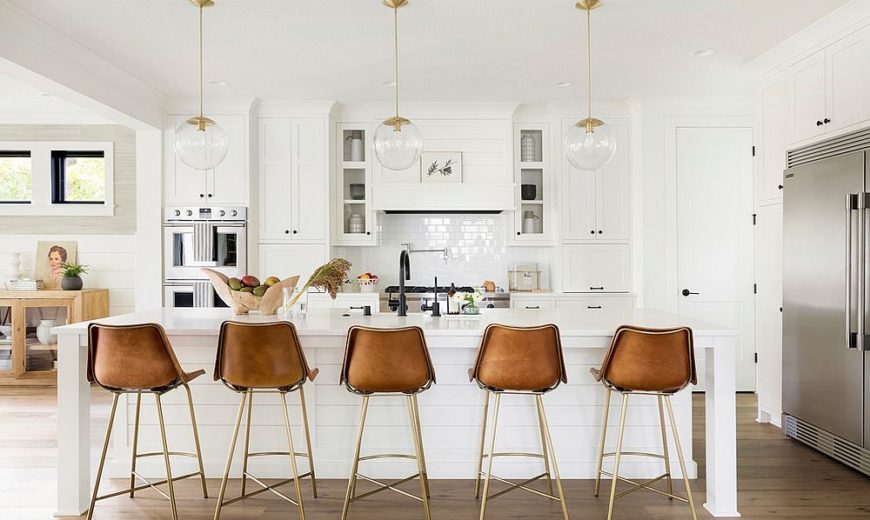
(138, 359)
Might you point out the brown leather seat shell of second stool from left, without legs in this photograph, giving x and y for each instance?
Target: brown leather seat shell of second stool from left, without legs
(260, 355)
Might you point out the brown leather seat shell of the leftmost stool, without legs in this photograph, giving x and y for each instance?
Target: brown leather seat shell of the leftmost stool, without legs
(132, 357)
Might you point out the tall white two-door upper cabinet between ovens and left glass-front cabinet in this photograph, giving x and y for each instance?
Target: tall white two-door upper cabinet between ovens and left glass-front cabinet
(293, 180)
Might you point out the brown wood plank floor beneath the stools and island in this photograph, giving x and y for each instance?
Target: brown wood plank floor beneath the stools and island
(778, 479)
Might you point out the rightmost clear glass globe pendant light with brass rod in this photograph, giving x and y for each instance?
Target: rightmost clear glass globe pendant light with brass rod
(589, 144)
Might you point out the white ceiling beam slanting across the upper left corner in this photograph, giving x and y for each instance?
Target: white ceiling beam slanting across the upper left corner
(38, 54)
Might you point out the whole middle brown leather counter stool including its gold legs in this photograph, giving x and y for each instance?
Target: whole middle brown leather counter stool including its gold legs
(387, 362)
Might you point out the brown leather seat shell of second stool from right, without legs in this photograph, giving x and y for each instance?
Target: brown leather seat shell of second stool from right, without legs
(525, 359)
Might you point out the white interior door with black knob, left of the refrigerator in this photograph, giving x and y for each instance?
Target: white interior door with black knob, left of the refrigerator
(715, 235)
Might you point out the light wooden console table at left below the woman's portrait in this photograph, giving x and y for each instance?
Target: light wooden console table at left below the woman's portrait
(24, 359)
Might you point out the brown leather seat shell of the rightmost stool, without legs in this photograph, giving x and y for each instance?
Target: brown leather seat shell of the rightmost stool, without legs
(651, 360)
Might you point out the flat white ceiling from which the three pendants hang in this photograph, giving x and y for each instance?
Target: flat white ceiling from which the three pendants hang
(451, 50)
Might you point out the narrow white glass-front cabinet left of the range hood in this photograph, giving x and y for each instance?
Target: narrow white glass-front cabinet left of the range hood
(353, 218)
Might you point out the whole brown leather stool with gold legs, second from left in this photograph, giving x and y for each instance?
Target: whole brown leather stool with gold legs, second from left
(264, 358)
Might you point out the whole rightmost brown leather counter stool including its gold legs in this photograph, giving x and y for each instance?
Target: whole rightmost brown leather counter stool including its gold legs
(641, 361)
